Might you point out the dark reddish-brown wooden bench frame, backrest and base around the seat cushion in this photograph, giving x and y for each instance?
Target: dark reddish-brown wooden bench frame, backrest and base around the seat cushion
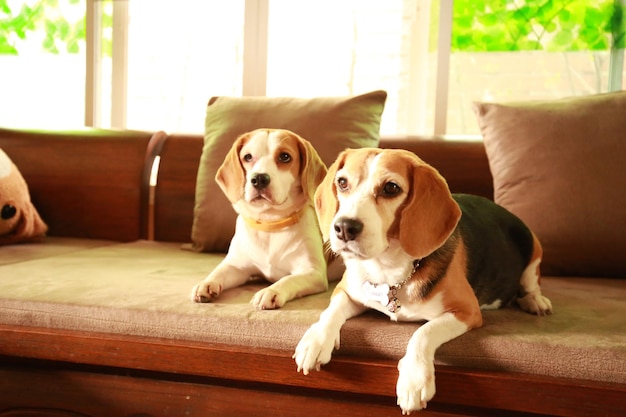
(96, 185)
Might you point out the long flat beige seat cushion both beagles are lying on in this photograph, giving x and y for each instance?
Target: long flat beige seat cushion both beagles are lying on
(142, 289)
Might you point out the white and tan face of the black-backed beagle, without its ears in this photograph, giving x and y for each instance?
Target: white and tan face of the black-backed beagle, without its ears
(370, 189)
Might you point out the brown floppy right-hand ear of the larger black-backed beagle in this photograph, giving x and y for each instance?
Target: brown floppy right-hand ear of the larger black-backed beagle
(430, 215)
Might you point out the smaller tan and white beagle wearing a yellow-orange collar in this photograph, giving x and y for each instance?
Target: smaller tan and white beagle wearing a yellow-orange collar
(270, 177)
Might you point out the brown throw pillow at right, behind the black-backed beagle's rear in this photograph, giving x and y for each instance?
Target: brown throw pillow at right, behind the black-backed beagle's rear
(561, 166)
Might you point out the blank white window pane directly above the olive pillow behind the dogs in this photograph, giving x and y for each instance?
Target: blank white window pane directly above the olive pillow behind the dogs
(331, 47)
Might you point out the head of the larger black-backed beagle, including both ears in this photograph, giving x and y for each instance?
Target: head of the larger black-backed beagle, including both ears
(373, 200)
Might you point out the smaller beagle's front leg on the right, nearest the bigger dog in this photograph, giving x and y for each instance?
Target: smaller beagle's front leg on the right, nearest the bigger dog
(289, 287)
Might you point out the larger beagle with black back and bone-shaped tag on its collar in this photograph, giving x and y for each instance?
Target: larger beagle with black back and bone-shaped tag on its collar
(416, 252)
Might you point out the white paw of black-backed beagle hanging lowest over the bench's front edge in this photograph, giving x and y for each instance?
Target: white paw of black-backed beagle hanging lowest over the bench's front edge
(416, 384)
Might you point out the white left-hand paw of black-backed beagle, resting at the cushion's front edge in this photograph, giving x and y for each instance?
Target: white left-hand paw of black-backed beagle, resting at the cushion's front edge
(315, 348)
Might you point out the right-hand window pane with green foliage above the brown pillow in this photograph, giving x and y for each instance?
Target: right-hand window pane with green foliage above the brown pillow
(530, 49)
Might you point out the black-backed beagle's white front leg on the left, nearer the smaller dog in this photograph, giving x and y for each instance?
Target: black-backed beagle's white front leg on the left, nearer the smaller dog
(316, 346)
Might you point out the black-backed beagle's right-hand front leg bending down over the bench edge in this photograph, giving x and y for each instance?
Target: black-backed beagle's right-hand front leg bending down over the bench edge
(416, 380)
